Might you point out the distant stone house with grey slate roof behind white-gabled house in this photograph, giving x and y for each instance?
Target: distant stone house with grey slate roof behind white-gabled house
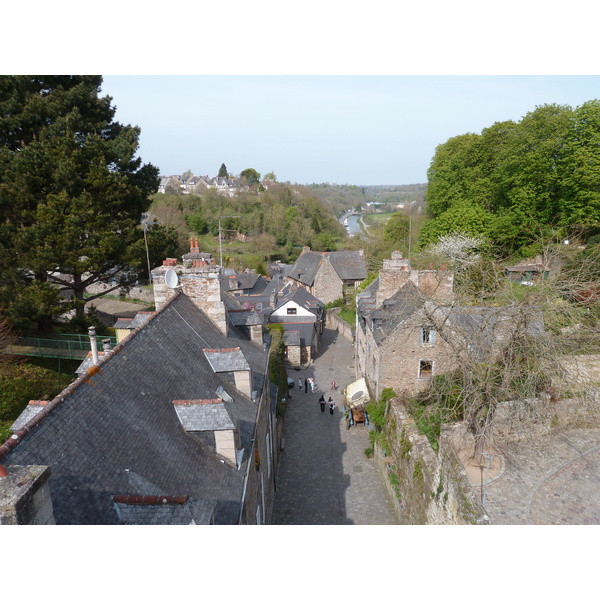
(329, 275)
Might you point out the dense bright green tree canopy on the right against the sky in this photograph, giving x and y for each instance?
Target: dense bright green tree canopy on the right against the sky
(516, 182)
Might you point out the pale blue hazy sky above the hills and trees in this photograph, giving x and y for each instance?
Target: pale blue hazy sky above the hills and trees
(363, 130)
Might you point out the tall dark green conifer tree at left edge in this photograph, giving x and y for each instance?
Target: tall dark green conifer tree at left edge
(72, 191)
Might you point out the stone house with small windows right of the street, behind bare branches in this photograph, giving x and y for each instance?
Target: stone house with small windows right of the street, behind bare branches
(409, 328)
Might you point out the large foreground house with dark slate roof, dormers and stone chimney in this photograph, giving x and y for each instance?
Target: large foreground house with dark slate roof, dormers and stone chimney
(176, 424)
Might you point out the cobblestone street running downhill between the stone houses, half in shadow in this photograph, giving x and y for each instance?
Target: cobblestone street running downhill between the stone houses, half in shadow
(324, 477)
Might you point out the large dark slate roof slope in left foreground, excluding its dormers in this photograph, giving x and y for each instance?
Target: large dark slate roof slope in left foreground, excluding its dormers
(118, 419)
